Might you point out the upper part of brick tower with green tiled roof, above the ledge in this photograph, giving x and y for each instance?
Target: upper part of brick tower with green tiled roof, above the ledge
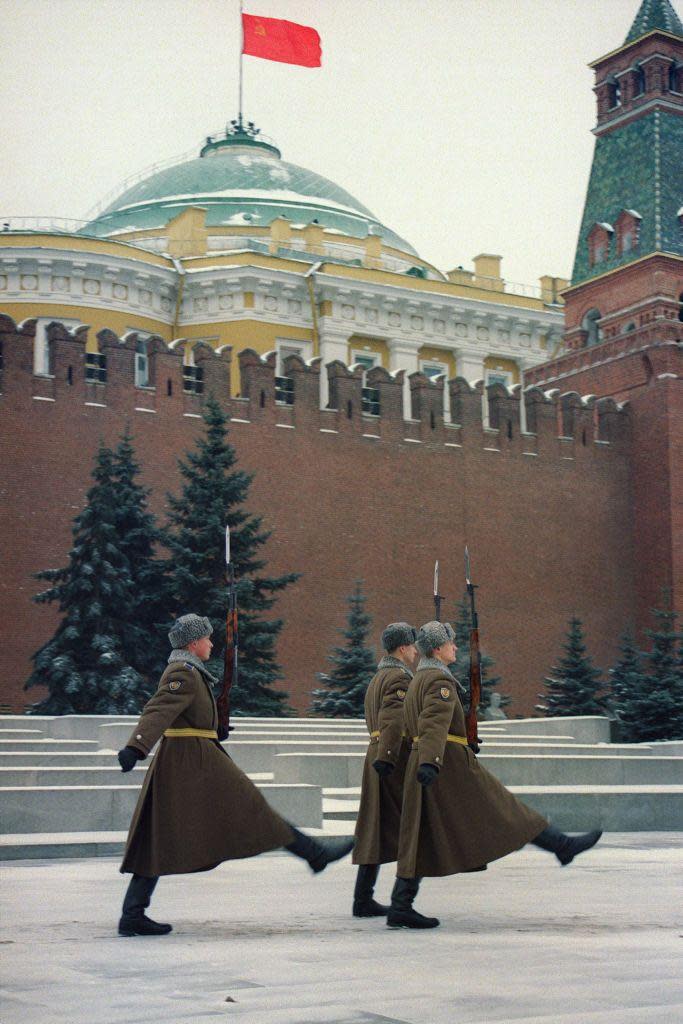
(628, 273)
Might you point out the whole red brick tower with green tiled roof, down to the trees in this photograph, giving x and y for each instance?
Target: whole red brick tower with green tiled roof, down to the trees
(624, 315)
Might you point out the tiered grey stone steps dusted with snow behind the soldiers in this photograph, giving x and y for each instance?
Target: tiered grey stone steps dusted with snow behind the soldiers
(62, 793)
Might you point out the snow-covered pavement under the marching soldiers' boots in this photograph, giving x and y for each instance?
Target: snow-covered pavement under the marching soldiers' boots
(265, 943)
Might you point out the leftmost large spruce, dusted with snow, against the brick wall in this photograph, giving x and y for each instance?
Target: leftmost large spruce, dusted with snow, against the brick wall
(84, 666)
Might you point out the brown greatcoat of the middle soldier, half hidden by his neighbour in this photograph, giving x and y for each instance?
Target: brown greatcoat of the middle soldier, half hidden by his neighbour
(379, 815)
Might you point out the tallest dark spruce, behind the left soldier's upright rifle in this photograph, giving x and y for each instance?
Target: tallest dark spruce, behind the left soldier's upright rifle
(214, 496)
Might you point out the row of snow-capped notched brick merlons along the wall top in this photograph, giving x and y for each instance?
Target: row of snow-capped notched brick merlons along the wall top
(549, 416)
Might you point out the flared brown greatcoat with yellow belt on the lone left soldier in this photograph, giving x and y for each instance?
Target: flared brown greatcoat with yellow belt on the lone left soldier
(197, 808)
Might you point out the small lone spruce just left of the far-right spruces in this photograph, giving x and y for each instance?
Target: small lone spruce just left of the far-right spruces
(574, 687)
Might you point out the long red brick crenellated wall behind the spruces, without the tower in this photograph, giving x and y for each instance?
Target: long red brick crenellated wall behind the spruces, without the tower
(546, 515)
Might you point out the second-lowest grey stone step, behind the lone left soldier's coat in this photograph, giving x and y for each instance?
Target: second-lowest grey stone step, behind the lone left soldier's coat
(109, 808)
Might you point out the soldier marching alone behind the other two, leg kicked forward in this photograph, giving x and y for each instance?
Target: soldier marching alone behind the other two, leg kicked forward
(196, 808)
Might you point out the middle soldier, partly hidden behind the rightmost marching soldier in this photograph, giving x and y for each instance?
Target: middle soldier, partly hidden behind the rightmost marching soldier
(382, 789)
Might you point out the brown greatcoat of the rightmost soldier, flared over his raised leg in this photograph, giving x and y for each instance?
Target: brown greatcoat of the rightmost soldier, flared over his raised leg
(466, 818)
